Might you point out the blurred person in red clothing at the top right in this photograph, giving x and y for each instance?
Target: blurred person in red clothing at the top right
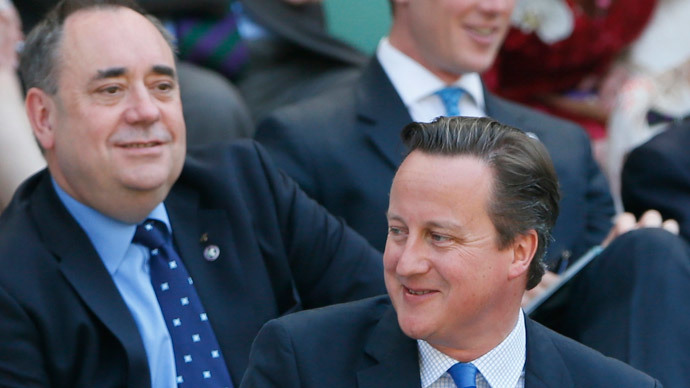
(560, 56)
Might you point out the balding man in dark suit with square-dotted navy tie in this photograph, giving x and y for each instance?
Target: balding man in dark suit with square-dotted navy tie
(78, 300)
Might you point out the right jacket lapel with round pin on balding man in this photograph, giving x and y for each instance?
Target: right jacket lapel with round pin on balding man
(220, 283)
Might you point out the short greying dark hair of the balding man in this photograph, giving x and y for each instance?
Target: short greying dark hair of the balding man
(40, 58)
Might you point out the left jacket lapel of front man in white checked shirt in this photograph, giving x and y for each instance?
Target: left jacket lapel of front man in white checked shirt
(395, 354)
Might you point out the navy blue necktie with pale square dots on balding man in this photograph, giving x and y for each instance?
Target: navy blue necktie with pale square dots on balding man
(198, 360)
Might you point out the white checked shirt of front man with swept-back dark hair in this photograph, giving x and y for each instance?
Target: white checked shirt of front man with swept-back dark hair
(502, 367)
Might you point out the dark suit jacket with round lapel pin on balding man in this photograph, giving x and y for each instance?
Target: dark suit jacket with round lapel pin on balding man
(64, 323)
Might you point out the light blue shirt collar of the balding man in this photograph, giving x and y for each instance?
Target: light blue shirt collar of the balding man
(111, 238)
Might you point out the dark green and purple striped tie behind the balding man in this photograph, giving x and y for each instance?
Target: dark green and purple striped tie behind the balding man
(213, 43)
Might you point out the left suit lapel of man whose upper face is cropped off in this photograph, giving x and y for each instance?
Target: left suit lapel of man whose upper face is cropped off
(381, 114)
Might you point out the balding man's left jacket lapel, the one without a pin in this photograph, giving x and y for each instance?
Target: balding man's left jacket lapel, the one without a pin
(85, 271)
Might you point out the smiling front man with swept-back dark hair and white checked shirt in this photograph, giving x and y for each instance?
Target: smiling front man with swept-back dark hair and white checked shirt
(470, 215)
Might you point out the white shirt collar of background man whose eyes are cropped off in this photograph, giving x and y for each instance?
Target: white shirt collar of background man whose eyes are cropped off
(414, 82)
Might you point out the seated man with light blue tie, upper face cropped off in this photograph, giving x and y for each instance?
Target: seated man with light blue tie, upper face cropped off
(343, 148)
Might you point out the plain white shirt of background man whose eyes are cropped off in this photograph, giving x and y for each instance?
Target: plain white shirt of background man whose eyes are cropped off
(417, 86)
